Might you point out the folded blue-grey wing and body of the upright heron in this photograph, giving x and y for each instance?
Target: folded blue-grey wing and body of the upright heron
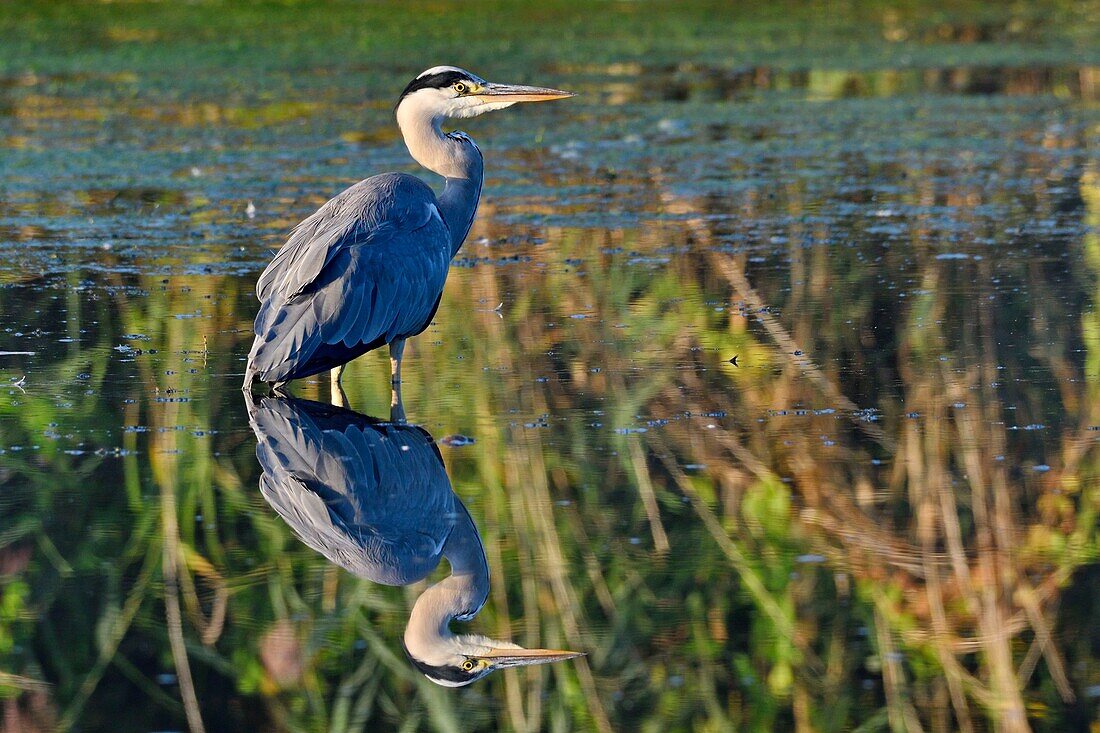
(368, 269)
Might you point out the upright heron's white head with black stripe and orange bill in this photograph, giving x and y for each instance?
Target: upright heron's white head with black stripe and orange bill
(452, 92)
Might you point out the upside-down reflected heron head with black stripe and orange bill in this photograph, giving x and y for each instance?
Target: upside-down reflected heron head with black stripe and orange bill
(459, 661)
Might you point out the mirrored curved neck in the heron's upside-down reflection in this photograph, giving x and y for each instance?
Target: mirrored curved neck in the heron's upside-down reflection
(459, 596)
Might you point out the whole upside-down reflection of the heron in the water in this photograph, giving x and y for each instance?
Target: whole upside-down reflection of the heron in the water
(376, 499)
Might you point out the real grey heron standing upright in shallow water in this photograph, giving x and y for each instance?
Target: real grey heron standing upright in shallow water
(368, 269)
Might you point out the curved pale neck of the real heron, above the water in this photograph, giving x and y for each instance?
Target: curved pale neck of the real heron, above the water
(455, 157)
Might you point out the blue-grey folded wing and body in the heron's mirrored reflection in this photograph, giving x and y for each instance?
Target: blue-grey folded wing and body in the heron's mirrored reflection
(373, 498)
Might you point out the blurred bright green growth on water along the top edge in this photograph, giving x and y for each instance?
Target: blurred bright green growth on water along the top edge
(210, 49)
